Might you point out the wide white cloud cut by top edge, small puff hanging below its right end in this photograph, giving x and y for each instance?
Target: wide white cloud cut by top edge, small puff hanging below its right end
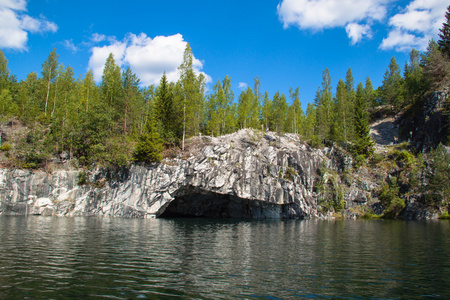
(321, 14)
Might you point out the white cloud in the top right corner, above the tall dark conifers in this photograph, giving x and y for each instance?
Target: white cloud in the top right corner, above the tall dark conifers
(415, 25)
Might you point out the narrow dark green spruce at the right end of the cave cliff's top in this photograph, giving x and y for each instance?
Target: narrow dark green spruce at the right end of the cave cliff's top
(363, 141)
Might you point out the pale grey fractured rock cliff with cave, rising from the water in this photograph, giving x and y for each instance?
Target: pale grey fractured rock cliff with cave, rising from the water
(248, 174)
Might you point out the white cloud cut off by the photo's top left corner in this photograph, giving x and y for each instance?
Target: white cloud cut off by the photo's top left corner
(15, 24)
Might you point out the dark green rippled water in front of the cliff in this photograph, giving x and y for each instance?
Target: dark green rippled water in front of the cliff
(63, 258)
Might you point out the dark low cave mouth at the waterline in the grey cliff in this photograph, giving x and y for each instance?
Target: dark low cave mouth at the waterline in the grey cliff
(212, 205)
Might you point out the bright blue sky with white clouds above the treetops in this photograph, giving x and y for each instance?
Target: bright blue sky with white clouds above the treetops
(287, 43)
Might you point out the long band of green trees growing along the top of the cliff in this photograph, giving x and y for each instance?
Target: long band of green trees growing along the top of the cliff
(118, 121)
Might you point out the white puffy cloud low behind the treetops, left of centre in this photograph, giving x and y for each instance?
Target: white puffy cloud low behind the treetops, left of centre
(148, 57)
